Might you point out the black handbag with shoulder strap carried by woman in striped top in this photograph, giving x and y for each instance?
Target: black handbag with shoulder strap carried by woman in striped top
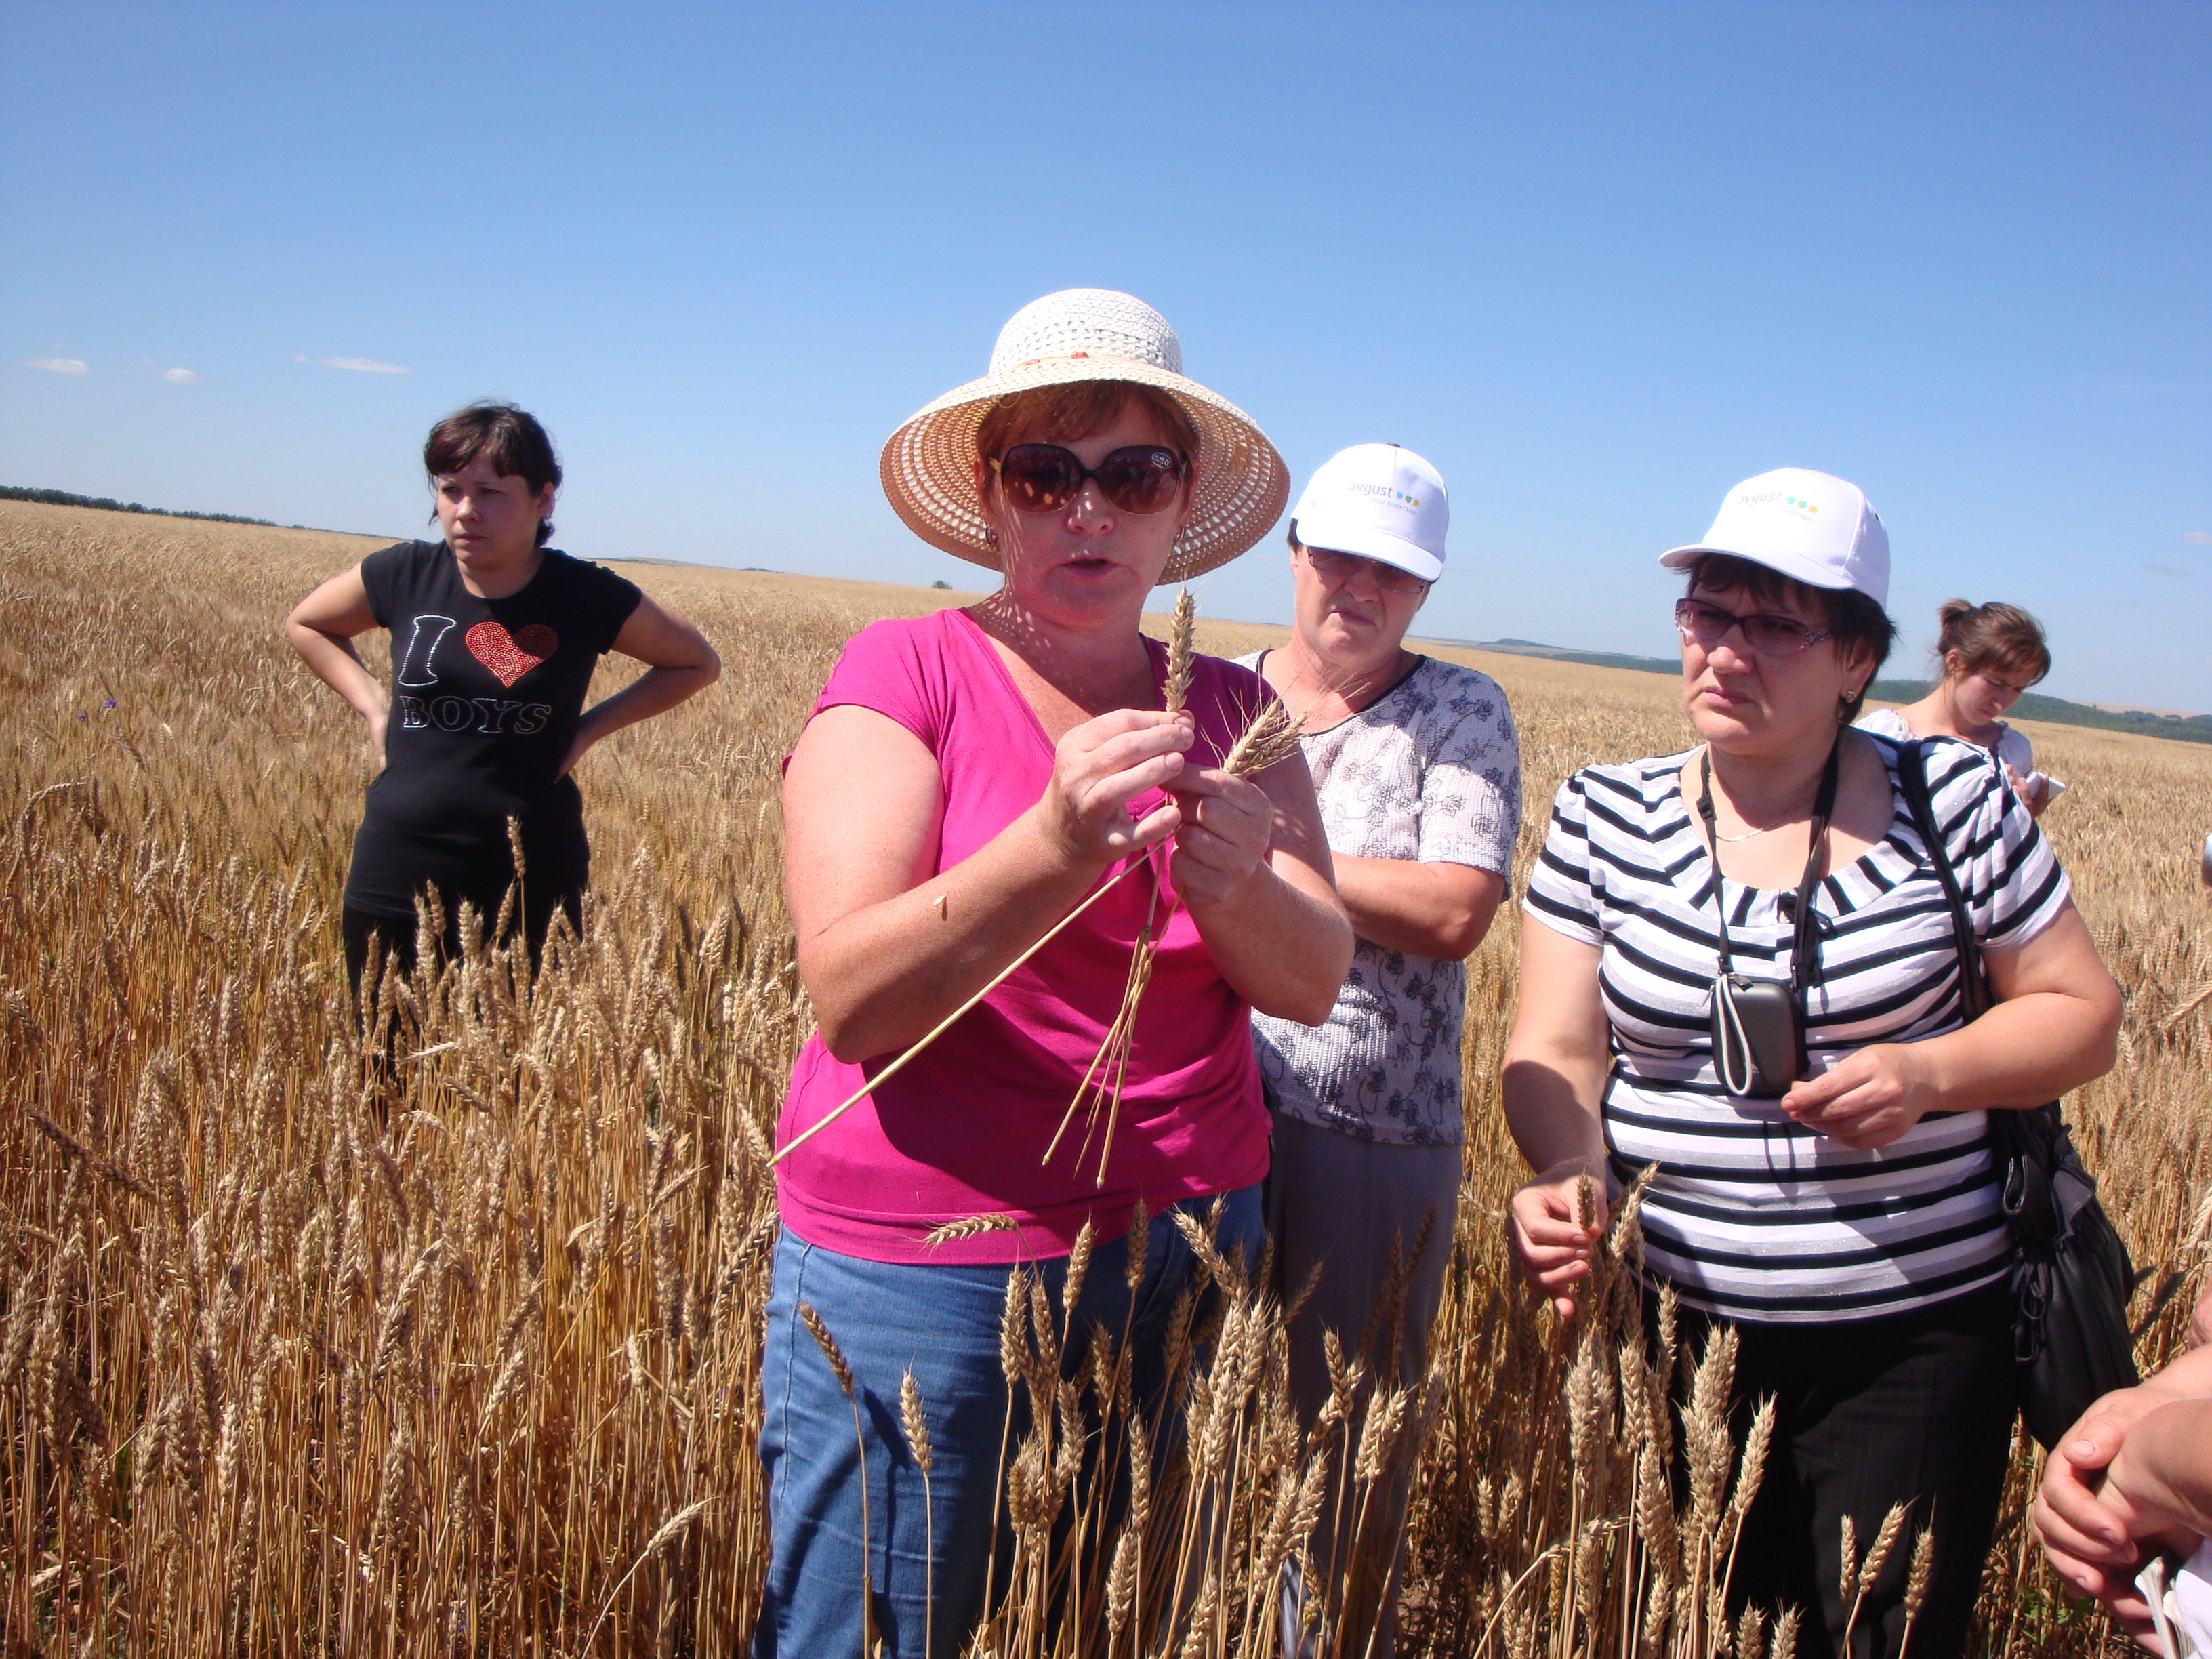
(2072, 1273)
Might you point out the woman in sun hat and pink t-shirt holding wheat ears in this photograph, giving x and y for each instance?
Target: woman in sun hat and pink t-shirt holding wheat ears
(963, 784)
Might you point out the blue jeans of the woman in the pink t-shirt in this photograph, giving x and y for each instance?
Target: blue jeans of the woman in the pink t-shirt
(924, 1567)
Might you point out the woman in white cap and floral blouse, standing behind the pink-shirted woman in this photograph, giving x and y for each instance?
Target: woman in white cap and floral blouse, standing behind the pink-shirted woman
(1419, 778)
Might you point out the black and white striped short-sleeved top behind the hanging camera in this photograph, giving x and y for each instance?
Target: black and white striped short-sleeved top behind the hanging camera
(1751, 1213)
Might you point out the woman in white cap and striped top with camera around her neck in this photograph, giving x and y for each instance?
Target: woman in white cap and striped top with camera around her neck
(1740, 972)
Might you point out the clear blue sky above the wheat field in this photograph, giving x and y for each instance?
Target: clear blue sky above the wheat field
(1596, 262)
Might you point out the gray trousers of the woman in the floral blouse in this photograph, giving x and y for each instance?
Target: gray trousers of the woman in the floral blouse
(1346, 1218)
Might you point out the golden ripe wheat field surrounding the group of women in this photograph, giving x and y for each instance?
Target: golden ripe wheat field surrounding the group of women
(309, 1357)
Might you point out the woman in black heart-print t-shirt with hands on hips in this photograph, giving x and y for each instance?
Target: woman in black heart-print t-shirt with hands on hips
(494, 640)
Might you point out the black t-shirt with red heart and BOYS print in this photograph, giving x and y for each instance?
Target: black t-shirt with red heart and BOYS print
(486, 700)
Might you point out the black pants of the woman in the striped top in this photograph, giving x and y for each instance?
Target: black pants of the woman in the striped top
(1908, 1408)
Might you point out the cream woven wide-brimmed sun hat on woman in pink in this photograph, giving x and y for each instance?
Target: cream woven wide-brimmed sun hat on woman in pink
(1087, 335)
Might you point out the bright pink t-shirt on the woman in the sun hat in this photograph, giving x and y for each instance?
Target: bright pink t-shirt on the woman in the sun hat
(963, 1129)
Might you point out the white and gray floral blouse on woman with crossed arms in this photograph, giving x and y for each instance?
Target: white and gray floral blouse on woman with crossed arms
(1430, 771)
